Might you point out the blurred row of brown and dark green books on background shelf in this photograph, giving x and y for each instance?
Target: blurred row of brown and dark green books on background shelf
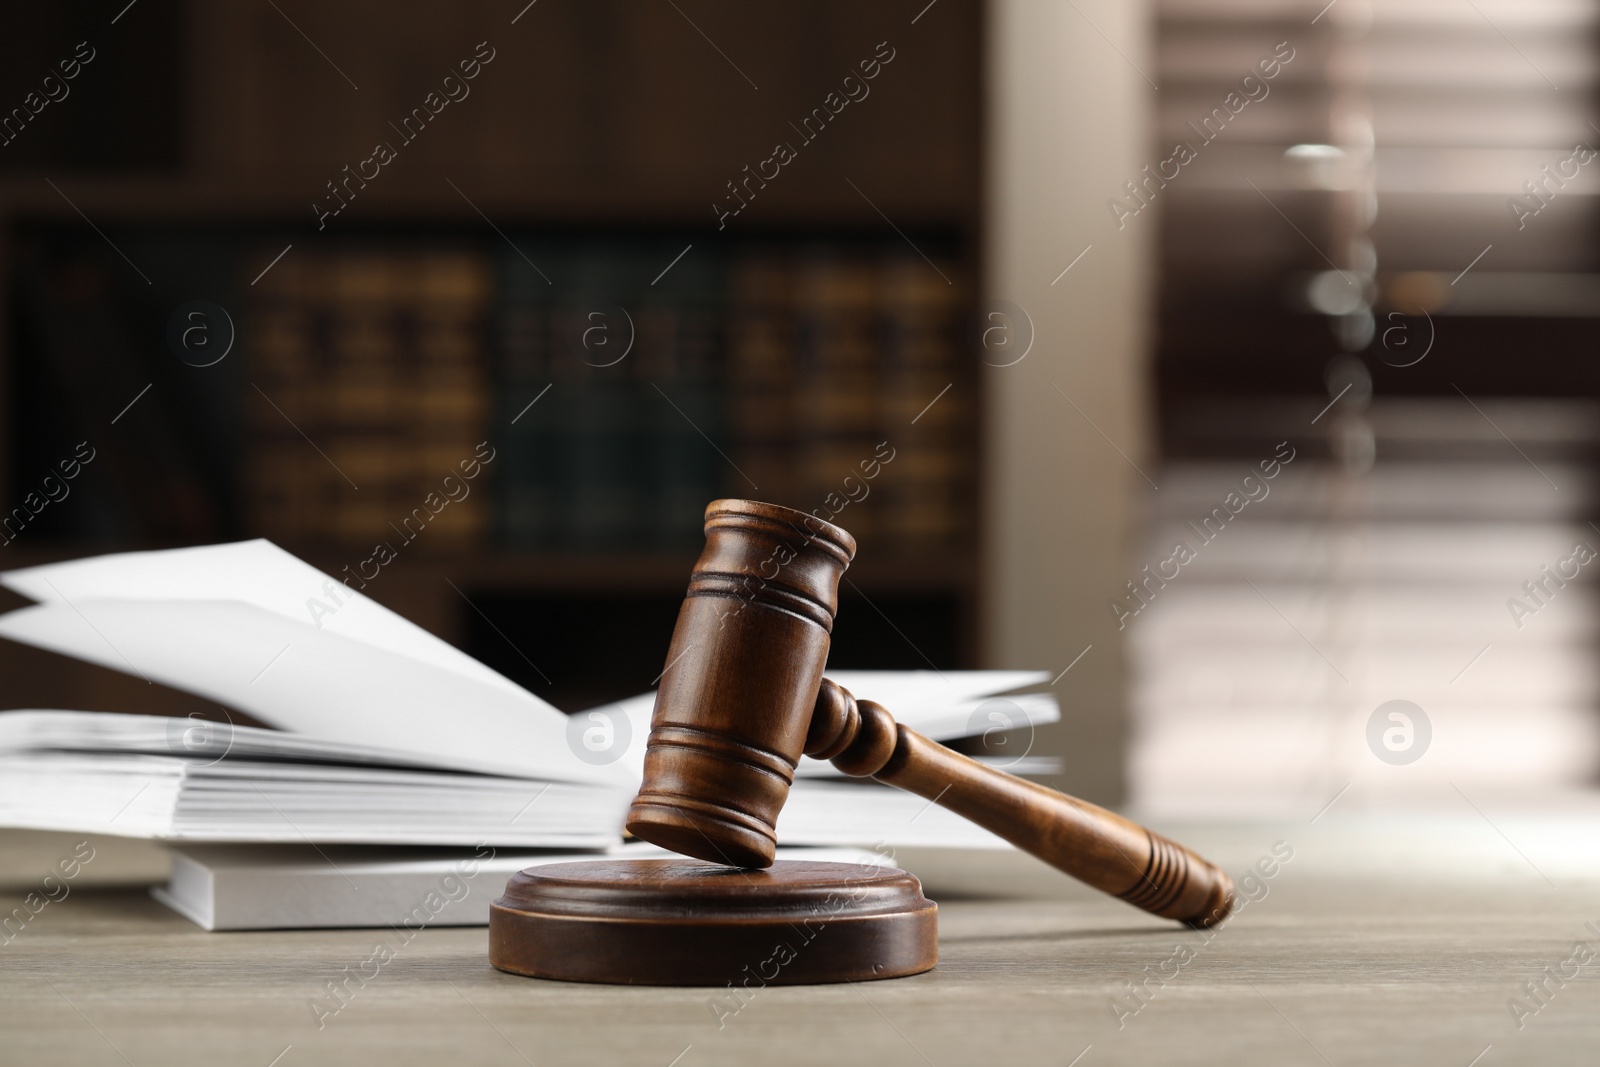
(604, 391)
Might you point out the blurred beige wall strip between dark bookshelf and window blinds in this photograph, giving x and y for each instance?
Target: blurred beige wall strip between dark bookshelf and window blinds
(1070, 121)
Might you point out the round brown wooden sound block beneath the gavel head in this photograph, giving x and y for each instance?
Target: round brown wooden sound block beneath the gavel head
(686, 922)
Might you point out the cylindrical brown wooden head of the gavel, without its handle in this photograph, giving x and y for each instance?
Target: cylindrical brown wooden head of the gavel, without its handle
(742, 682)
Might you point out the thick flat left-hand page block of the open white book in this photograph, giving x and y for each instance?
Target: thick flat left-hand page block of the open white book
(106, 773)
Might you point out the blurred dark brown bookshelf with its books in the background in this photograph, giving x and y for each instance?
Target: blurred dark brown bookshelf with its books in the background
(814, 356)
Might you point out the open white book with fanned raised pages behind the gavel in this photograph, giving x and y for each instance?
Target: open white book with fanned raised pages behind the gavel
(380, 732)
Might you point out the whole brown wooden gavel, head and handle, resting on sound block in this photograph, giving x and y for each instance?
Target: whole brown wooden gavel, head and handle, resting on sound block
(745, 695)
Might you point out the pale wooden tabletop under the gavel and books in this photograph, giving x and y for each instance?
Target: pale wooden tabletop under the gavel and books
(1378, 943)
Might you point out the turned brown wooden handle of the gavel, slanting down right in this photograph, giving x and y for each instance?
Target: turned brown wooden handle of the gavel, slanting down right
(1087, 842)
